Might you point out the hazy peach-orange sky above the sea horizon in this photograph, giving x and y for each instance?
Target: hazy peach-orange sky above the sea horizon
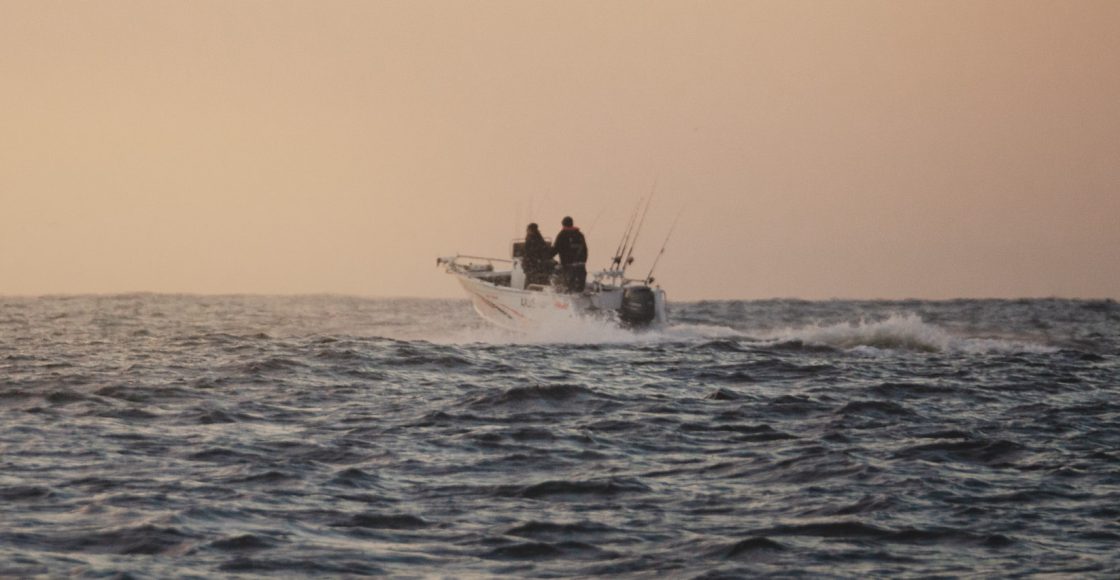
(819, 149)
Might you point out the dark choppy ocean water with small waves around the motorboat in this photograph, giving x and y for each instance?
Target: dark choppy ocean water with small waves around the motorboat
(174, 436)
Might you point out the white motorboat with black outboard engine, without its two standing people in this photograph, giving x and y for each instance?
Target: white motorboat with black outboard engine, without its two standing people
(500, 294)
